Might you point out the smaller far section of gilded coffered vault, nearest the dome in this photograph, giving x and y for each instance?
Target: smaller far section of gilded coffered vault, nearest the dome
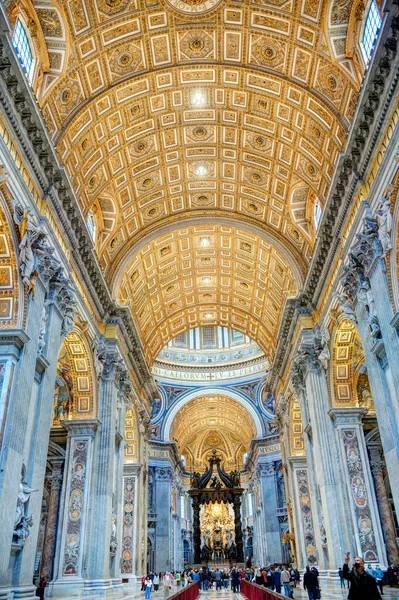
(206, 274)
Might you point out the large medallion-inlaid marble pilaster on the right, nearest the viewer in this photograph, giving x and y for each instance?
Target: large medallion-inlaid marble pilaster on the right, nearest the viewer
(366, 525)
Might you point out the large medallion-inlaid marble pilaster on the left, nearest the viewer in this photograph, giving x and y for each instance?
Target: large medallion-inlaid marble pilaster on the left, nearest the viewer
(74, 522)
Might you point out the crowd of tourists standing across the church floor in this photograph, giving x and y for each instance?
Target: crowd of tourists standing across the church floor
(361, 582)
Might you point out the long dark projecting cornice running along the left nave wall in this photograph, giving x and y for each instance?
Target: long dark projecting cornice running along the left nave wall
(29, 128)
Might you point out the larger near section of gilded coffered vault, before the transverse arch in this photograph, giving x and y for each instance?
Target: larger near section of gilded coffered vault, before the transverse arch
(172, 107)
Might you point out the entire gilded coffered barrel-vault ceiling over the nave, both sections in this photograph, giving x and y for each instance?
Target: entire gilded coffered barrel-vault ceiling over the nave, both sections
(172, 113)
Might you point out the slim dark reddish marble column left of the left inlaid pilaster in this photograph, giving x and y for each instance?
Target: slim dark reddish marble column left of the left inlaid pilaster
(50, 536)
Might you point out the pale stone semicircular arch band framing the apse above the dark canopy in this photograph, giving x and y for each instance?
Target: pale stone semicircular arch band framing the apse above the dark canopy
(184, 398)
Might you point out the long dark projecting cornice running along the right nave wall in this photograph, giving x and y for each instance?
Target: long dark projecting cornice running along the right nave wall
(379, 90)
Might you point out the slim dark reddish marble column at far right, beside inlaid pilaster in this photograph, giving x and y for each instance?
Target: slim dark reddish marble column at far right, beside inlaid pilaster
(377, 464)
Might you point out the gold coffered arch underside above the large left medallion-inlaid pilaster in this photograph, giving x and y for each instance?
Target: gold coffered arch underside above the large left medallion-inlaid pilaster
(76, 386)
